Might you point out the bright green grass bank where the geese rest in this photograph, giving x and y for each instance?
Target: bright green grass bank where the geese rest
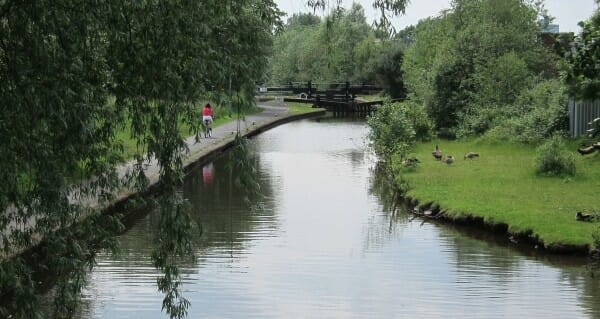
(502, 187)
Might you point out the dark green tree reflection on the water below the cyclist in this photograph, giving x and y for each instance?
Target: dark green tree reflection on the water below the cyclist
(230, 198)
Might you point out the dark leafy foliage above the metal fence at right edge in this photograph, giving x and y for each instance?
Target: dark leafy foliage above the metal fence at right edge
(583, 70)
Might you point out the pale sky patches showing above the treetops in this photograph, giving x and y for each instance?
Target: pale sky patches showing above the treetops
(567, 13)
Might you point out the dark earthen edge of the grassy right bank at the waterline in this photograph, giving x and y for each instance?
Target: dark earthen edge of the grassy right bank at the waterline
(528, 239)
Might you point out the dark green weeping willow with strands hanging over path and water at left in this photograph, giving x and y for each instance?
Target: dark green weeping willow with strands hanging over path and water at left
(75, 72)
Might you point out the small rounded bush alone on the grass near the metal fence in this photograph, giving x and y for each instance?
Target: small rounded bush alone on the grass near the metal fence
(553, 159)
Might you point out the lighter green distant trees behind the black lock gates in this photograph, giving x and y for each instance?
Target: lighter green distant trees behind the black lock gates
(342, 47)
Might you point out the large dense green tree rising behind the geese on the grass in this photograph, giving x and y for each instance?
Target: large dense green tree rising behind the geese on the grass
(468, 65)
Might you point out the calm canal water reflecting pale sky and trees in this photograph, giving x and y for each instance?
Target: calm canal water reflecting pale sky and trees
(321, 242)
